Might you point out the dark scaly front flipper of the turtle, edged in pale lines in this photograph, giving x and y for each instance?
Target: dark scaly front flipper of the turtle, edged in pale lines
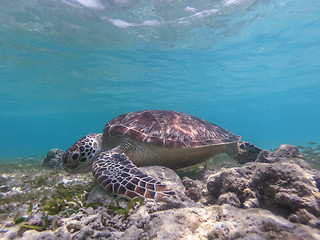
(117, 174)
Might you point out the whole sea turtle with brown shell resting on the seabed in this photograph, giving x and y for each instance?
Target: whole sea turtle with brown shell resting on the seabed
(150, 137)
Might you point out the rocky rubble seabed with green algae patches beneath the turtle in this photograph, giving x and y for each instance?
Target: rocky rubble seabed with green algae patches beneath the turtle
(275, 197)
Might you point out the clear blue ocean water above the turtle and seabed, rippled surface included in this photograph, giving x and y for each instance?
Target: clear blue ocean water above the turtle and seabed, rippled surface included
(69, 66)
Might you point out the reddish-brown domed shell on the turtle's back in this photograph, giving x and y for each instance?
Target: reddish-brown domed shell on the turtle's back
(168, 129)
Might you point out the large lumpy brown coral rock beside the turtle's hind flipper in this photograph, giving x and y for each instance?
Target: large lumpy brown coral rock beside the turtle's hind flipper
(279, 181)
